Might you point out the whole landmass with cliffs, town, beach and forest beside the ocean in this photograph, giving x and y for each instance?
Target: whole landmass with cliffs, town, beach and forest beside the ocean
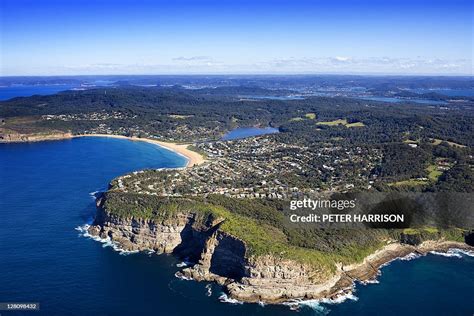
(225, 214)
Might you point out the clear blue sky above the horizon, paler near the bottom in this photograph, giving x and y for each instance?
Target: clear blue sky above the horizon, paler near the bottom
(213, 37)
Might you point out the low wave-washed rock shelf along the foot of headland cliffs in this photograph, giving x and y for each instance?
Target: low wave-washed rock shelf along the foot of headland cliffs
(337, 289)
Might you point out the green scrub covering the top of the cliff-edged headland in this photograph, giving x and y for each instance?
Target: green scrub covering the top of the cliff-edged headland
(260, 224)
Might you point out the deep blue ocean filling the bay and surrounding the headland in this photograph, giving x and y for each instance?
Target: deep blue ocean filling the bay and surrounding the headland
(47, 192)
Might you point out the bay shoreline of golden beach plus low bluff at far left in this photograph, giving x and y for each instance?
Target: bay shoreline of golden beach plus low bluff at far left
(192, 158)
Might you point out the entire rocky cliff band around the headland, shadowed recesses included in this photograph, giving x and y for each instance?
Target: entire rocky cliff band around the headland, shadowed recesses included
(223, 258)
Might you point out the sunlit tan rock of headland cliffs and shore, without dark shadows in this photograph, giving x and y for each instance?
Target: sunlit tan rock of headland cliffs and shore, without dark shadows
(263, 286)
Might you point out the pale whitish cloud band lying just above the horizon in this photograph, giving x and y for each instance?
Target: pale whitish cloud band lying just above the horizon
(287, 65)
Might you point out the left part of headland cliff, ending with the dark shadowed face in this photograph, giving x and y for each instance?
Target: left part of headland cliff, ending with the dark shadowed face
(215, 252)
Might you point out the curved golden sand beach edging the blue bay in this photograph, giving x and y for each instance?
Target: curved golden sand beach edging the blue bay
(193, 158)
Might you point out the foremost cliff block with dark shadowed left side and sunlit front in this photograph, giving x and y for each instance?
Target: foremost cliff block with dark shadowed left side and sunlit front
(262, 279)
